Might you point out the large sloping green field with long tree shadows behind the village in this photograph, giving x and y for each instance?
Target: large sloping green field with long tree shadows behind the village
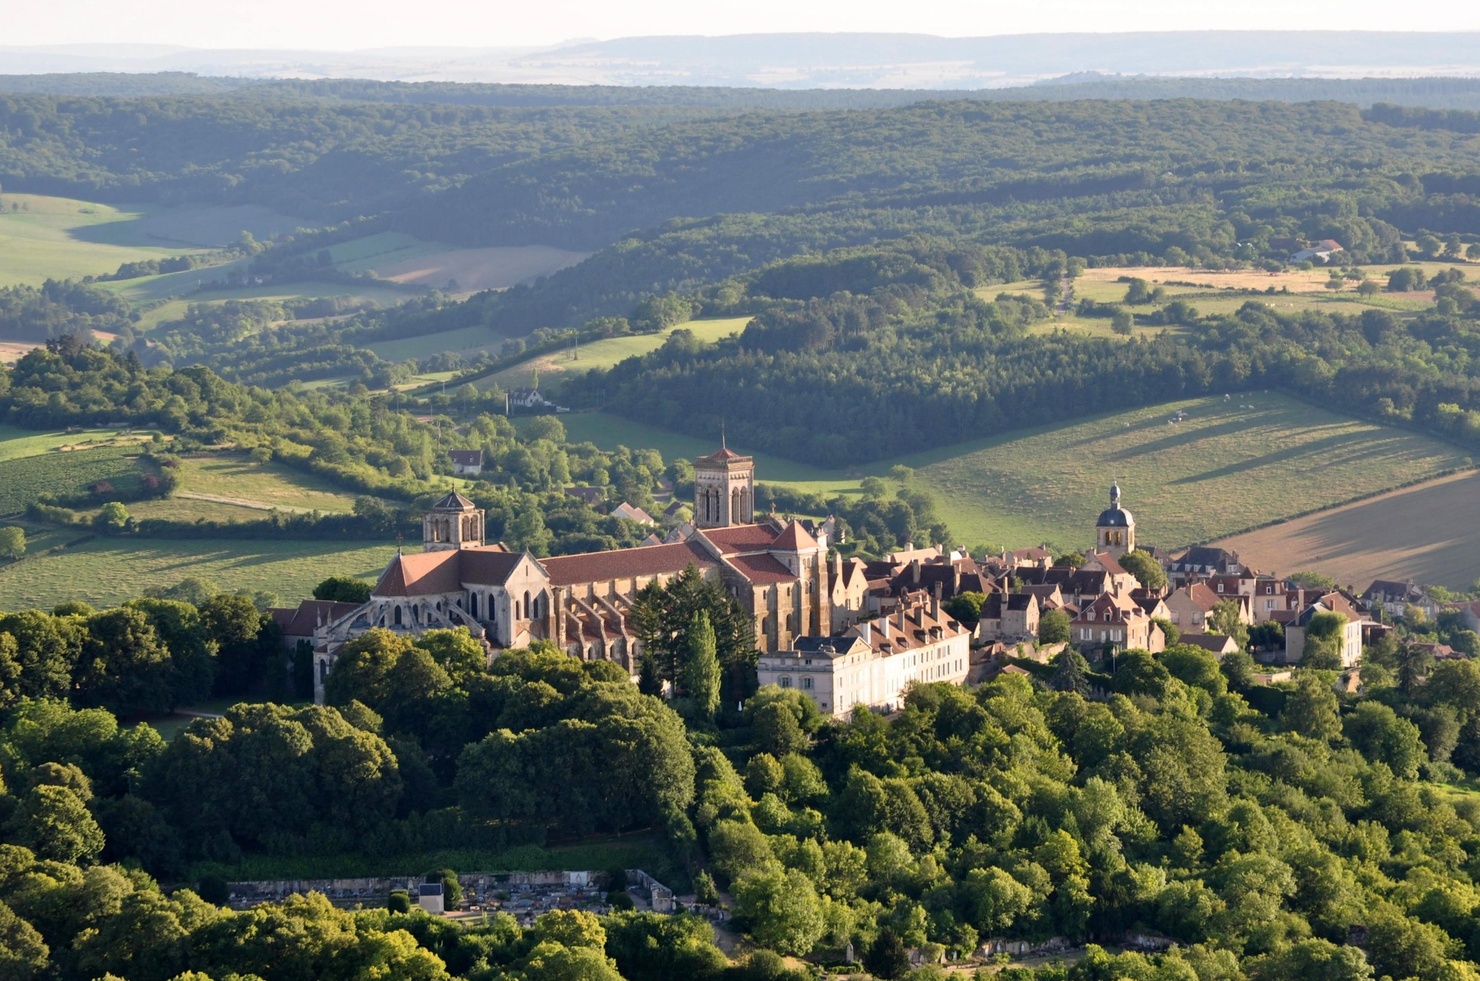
(1228, 467)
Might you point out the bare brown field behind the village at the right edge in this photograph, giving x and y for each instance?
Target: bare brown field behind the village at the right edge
(1429, 533)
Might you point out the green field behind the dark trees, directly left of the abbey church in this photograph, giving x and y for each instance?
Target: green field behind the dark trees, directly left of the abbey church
(107, 572)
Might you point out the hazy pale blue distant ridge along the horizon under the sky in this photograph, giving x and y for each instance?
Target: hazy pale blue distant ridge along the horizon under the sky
(818, 61)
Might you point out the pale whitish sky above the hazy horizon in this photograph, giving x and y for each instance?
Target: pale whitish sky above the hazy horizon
(357, 24)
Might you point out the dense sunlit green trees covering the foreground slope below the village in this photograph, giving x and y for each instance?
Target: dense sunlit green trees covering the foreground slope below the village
(1263, 832)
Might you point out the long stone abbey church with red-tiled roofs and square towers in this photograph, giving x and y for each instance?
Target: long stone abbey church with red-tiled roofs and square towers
(776, 570)
